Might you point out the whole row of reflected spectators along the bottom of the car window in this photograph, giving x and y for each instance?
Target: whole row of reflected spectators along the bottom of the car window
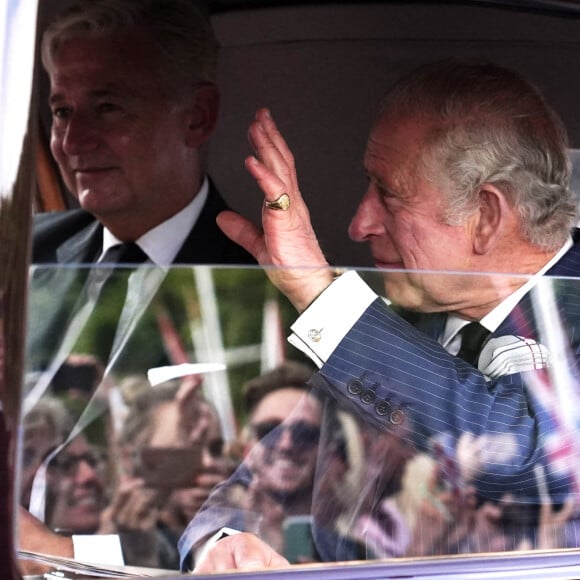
(305, 476)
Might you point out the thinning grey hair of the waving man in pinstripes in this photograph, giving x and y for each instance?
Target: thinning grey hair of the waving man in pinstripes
(490, 125)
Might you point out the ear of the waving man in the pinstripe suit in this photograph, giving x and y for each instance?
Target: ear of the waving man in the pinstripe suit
(493, 211)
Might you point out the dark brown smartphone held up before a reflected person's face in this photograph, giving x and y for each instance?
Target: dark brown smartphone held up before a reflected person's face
(170, 467)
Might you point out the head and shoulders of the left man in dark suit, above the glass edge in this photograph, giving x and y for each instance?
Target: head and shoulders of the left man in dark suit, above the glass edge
(134, 102)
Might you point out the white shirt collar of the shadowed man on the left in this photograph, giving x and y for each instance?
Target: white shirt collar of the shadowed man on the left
(163, 242)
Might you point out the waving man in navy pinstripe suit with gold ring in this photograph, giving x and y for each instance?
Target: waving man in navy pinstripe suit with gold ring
(468, 172)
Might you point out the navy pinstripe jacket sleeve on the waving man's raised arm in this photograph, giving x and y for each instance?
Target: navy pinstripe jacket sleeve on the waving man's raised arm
(385, 370)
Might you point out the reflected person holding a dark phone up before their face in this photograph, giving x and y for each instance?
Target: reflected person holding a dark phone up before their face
(172, 454)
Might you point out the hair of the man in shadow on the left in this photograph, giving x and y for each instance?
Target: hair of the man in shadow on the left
(181, 31)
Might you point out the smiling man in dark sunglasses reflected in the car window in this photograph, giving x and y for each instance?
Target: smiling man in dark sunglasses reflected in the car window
(285, 453)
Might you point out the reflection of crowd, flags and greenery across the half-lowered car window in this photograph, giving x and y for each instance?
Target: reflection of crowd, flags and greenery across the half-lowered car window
(320, 470)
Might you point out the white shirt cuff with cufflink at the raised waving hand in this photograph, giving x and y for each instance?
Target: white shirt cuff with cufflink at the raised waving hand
(321, 327)
